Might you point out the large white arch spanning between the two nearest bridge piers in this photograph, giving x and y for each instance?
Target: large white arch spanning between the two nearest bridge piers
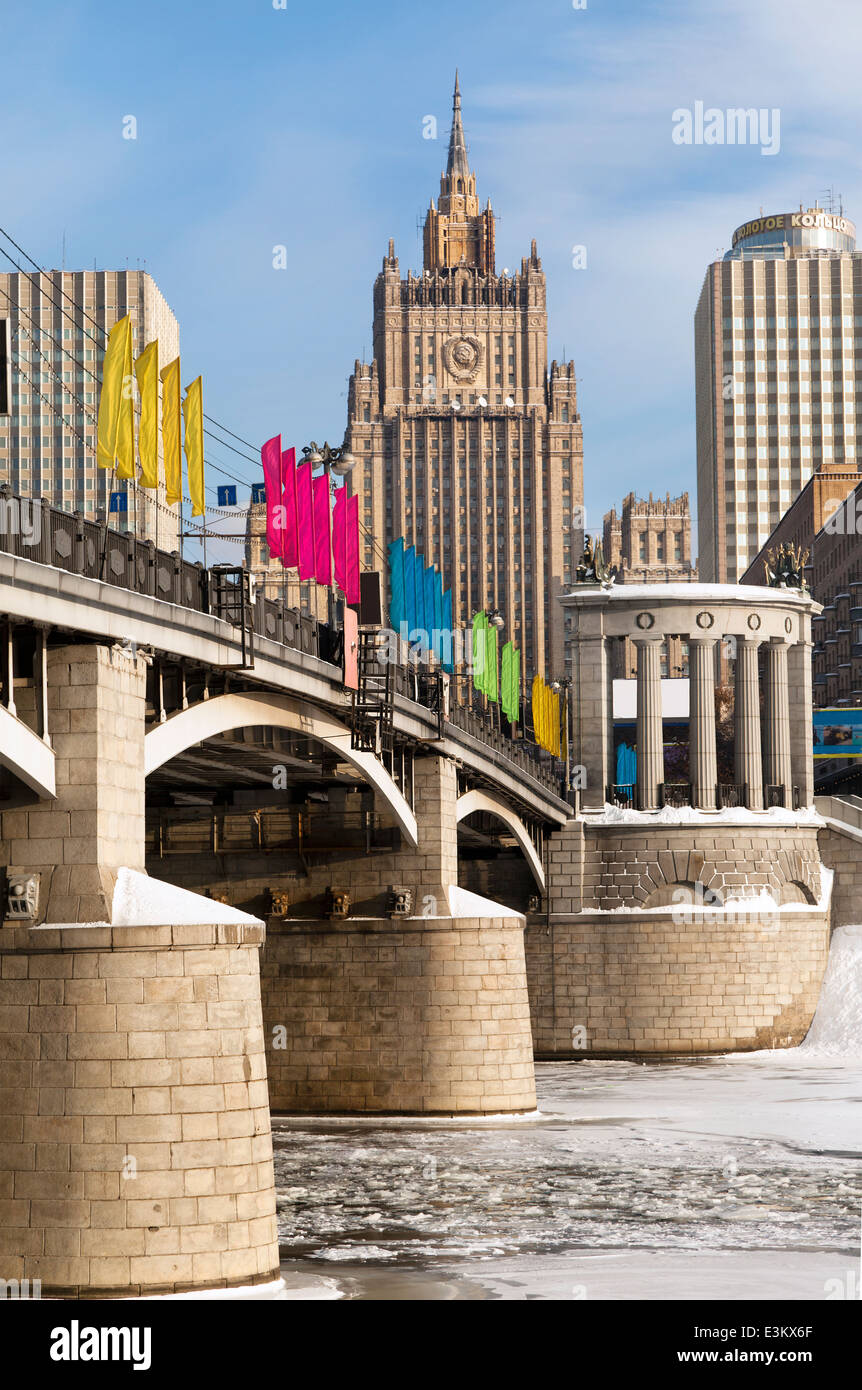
(262, 708)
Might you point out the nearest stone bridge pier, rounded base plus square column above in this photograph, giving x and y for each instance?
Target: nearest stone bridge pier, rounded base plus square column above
(136, 1143)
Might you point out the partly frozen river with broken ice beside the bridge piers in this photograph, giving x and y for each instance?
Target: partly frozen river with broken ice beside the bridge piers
(725, 1178)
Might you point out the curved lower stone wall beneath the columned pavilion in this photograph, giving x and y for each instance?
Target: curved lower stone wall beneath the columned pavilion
(643, 983)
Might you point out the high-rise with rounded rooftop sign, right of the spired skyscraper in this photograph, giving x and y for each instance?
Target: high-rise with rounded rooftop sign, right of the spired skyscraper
(778, 377)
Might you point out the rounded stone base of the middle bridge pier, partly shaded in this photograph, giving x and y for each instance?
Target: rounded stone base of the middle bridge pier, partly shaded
(414, 1018)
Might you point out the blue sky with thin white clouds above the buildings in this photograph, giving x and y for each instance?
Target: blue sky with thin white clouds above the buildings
(266, 124)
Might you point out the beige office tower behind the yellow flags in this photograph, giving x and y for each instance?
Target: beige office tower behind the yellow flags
(48, 443)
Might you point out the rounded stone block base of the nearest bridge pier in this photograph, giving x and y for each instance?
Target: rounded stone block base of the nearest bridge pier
(136, 1145)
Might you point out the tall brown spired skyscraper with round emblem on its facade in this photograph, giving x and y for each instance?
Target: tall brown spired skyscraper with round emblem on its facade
(469, 443)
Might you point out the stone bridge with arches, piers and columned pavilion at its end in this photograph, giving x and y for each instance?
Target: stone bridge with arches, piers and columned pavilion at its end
(237, 885)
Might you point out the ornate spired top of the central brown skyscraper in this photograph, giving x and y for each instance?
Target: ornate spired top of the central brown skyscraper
(457, 231)
